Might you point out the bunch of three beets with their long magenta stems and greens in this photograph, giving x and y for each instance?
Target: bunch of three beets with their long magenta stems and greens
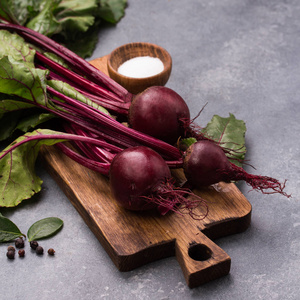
(36, 72)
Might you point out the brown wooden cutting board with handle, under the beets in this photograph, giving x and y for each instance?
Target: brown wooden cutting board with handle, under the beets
(134, 239)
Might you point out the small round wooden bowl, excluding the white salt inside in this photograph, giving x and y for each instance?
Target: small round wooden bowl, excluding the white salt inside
(131, 50)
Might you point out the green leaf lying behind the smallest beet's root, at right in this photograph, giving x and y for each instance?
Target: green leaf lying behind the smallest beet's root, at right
(230, 133)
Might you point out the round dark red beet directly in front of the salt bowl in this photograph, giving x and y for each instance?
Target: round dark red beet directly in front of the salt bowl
(158, 111)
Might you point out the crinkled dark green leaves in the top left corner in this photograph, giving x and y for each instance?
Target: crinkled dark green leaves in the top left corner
(75, 23)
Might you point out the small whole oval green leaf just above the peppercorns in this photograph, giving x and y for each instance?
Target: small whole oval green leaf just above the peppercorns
(44, 228)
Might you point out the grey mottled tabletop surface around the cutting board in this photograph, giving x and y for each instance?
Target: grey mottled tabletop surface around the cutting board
(240, 57)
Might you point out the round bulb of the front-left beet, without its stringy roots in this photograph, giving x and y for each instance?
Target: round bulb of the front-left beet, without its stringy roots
(134, 173)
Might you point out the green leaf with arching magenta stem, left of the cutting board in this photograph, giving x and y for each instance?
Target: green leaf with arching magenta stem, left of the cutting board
(18, 180)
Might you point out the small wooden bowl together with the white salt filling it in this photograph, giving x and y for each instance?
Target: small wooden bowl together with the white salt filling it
(147, 65)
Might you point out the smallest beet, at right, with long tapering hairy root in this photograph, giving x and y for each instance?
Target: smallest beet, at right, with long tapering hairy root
(205, 163)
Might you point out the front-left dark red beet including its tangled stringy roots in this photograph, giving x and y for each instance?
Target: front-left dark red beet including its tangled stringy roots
(141, 180)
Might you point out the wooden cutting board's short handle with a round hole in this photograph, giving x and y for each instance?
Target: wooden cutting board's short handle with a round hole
(201, 260)
